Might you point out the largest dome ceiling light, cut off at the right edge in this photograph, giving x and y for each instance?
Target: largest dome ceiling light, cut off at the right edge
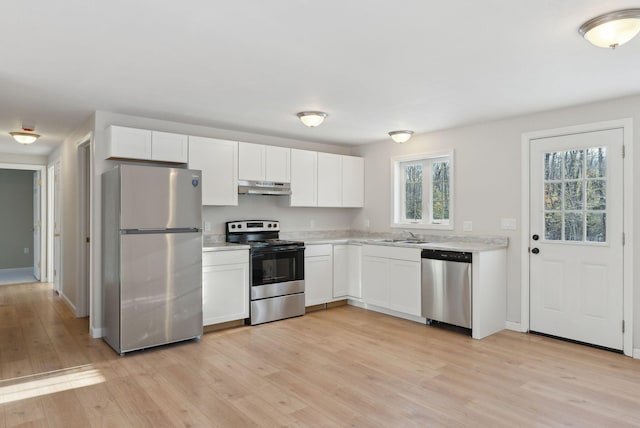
(612, 29)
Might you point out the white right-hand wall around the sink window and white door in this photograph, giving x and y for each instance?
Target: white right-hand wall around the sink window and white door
(487, 177)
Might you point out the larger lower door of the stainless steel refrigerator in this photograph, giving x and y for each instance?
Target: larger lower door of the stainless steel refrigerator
(161, 289)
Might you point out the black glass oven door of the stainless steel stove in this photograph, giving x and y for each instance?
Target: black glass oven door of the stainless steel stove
(271, 265)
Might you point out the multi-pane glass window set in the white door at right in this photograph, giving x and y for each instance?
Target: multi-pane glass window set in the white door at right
(575, 199)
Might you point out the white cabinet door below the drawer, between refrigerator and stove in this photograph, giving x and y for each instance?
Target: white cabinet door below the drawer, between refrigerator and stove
(225, 293)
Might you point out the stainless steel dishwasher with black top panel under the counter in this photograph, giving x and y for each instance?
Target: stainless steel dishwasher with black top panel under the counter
(446, 287)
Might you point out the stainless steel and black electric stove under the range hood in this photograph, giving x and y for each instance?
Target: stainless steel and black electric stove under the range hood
(277, 270)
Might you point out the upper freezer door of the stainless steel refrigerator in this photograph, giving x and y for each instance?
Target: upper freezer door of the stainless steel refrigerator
(160, 198)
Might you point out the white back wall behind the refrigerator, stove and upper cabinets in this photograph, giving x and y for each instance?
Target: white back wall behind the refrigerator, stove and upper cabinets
(292, 218)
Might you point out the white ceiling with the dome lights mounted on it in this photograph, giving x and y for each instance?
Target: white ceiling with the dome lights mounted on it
(373, 65)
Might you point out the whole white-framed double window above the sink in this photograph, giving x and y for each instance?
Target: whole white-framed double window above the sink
(422, 190)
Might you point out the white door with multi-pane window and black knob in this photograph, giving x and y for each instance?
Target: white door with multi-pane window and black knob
(576, 237)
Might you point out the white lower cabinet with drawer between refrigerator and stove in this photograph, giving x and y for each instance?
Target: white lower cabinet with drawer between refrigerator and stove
(225, 286)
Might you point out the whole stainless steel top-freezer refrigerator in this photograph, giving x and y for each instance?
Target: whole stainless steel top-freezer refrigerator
(151, 256)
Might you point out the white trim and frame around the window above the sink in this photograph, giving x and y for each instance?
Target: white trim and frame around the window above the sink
(396, 195)
